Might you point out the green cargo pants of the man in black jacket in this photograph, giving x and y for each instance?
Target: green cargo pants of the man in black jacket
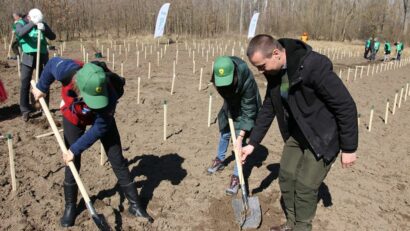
(300, 176)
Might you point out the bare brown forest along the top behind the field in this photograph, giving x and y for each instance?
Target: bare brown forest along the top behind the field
(334, 20)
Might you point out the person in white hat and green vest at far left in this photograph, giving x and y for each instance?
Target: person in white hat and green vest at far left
(26, 33)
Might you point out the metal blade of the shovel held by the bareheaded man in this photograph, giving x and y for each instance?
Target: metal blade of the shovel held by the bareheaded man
(250, 218)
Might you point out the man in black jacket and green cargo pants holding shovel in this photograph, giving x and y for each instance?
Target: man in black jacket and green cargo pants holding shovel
(317, 119)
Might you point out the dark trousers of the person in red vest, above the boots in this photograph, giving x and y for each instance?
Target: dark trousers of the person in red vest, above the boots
(112, 145)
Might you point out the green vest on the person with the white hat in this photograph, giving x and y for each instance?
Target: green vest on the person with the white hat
(28, 42)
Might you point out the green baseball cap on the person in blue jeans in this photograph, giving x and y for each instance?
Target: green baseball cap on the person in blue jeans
(223, 71)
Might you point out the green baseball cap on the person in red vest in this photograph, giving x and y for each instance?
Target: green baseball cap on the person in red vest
(92, 83)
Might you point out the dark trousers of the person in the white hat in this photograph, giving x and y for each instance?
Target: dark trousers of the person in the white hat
(26, 76)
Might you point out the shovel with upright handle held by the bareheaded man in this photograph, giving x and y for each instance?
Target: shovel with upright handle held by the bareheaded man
(248, 210)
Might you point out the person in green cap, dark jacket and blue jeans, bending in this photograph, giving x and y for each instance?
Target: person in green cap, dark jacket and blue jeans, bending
(234, 81)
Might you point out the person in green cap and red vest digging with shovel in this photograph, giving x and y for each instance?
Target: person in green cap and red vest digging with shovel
(90, 97)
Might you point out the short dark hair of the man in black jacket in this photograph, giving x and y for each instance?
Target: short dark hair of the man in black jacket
(263, 43)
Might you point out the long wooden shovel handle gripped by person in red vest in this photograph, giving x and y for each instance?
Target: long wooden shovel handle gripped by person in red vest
(62, 146)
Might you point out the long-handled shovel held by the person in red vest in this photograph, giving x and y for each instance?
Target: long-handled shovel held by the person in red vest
(99, 220)
